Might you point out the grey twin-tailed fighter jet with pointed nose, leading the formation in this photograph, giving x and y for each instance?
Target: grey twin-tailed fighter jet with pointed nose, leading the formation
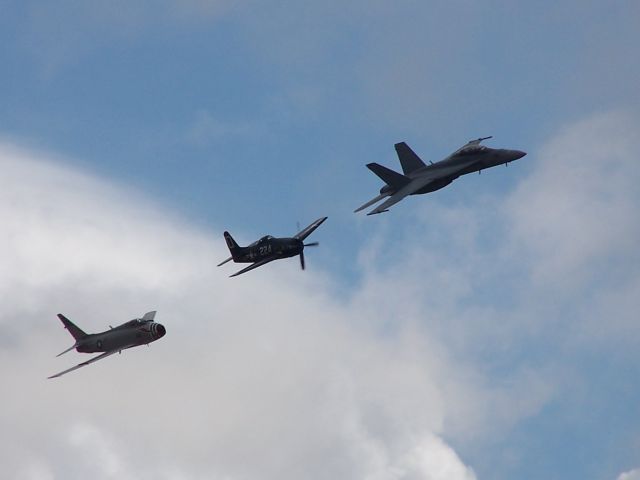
(420, 178)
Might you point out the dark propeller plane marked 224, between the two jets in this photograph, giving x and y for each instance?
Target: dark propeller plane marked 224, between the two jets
(269, 248)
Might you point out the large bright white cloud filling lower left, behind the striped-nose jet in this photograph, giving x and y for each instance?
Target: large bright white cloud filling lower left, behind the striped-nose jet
(256, 378)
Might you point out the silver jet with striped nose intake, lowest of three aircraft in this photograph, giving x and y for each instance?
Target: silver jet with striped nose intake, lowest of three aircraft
(139, 331)
